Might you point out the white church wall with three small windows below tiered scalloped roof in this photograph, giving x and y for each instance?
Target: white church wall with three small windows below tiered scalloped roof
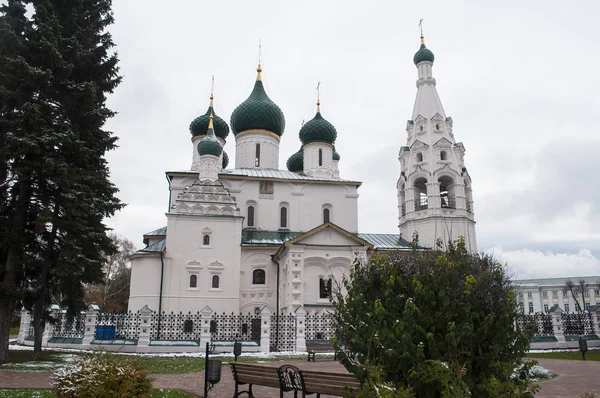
(187, 256)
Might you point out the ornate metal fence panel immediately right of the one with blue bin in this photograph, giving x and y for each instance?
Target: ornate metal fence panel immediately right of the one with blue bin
(175, 326)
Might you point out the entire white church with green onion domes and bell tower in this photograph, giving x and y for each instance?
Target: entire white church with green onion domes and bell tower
(254, 236)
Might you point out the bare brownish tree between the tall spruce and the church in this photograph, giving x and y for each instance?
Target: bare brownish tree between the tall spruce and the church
(112, 295)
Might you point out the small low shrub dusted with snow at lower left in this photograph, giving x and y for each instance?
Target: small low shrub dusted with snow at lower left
(102, 375)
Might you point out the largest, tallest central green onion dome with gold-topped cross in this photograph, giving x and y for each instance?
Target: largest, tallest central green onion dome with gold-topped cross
(258, 112)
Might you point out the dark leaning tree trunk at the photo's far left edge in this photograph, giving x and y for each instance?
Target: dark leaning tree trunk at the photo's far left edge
(12, 269)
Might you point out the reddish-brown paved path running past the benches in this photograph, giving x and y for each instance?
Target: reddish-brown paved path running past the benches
(575, 378)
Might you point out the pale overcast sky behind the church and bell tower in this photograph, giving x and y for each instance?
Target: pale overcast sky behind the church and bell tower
(519, 80)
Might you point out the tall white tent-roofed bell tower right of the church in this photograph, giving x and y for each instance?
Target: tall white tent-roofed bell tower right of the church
(435, 198)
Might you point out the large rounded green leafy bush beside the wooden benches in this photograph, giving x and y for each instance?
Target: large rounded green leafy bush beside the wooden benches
(439, 322)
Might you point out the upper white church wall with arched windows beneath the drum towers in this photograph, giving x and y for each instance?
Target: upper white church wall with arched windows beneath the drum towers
(305, 203)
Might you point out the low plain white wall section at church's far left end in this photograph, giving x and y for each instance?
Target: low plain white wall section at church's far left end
(145, 283)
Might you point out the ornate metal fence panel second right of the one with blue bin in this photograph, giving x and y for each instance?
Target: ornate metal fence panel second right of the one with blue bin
(229, 327)
